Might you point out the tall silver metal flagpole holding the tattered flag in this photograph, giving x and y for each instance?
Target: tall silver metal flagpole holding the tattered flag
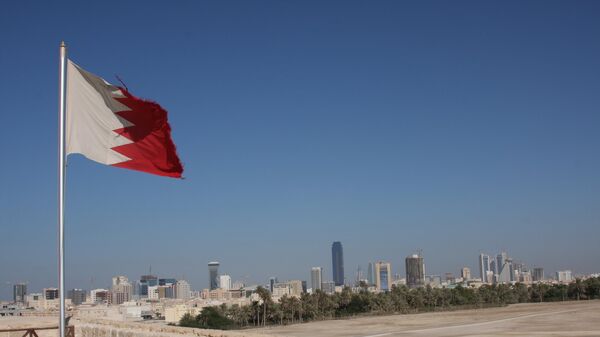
(61, 184)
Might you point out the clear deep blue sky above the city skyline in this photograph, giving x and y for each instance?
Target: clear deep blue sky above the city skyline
(453, 127)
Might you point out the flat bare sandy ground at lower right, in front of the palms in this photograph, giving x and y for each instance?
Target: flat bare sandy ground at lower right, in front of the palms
(568, 319)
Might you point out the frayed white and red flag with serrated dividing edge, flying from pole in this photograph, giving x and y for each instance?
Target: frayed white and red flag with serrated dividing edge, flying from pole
(109, 125)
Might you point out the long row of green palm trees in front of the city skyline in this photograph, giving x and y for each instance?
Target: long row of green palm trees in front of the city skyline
(400, 299)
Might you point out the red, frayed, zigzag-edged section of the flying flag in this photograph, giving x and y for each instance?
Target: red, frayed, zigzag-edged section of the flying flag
(152, 150)
